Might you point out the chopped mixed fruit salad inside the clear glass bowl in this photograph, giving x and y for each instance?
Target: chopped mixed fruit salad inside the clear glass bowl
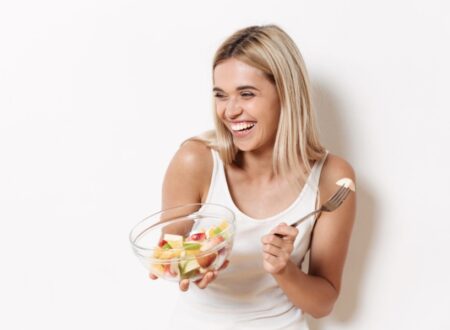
(179, 257)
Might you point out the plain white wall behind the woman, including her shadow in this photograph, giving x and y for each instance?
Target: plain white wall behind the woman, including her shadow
(95, 97)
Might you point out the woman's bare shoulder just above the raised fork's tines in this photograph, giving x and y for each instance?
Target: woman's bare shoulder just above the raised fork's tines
(334, 168)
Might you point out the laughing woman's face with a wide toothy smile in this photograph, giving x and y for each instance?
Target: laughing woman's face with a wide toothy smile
(247, 103)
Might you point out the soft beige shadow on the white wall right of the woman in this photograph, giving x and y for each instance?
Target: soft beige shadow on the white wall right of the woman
(334, 133)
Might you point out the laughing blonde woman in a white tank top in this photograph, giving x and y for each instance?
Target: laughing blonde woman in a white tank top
(265, 162)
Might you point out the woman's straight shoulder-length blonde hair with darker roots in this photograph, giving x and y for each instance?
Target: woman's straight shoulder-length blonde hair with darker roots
(269, 49)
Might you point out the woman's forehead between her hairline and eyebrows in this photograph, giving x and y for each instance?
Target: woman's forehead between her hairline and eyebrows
(235, 72)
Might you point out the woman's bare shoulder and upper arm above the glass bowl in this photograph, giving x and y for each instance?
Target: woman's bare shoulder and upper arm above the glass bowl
(188, 175)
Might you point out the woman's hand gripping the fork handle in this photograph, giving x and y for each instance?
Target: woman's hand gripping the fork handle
(277, 250)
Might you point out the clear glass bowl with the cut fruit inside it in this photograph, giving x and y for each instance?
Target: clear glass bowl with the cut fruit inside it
(184, 241)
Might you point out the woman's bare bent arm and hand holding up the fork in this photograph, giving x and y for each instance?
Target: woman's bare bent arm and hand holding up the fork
(316, 292)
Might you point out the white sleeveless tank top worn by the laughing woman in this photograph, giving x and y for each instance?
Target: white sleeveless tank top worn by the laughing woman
(244, 295)
